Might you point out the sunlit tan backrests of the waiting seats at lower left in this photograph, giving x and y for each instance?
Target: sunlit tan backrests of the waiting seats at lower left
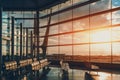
(34, 64)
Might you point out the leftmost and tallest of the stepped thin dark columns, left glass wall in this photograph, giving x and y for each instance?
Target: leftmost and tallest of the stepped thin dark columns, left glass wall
(12, 41)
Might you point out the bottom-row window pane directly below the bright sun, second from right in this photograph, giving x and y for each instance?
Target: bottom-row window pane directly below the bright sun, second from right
(101, 53)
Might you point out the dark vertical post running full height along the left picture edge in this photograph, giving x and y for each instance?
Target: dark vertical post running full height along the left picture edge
(0, 39)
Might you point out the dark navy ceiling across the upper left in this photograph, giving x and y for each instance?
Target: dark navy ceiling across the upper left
(29, 5)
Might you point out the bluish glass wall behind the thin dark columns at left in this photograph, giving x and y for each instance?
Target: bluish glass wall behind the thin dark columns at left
(6, 32)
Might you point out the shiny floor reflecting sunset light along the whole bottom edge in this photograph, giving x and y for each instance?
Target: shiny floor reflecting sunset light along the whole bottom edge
(56, 74)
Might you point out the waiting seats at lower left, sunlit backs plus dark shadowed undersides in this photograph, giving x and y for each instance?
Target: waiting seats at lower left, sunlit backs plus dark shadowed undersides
(12, 68)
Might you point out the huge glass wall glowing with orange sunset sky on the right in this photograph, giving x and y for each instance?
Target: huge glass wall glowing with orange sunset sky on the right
(87, 33)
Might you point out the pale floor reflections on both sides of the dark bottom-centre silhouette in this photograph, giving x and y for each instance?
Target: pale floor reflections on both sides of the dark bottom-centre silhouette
(55, 74)
